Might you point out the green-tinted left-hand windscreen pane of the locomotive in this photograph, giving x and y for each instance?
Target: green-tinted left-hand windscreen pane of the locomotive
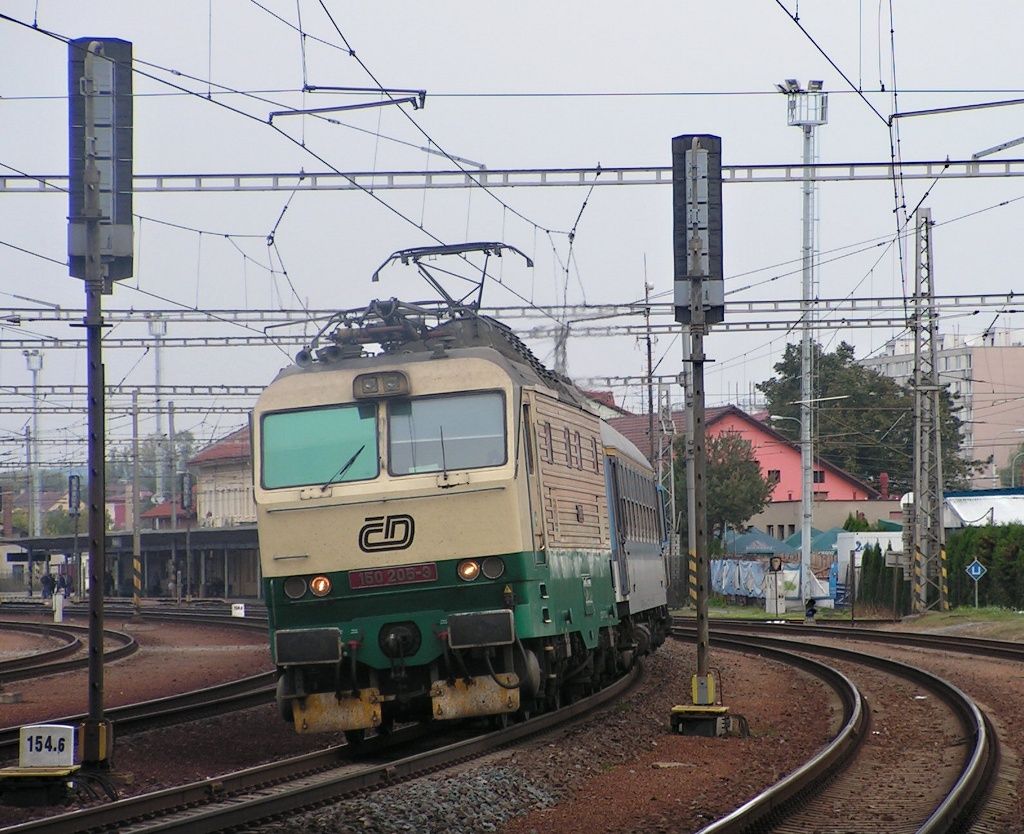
(330, 445)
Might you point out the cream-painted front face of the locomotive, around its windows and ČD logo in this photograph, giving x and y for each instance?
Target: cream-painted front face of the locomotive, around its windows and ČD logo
(316, 527)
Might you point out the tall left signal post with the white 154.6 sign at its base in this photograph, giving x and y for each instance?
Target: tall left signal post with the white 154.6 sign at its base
(100, 253)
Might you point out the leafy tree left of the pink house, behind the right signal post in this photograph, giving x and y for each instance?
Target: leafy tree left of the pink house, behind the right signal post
(737, 490)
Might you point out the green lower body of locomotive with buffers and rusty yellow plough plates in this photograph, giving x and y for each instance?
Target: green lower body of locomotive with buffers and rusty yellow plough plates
(357, 659)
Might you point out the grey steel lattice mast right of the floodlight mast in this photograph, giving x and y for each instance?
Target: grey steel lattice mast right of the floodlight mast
(930, 577)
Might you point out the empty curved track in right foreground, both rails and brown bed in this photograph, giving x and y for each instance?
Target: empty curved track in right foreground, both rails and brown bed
(814, 797)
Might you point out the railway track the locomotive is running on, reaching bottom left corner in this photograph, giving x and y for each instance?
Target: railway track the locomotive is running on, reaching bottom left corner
(301, 783)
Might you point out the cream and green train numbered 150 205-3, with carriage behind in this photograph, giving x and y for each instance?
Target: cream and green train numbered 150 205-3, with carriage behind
(447, 530)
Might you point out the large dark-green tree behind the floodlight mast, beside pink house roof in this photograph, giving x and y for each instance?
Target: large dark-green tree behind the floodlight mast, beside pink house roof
(872, 430)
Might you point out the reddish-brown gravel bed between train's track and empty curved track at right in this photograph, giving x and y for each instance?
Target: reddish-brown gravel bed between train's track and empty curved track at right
(617, 771)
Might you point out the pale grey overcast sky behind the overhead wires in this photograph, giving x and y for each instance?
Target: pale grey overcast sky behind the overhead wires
(514, 86)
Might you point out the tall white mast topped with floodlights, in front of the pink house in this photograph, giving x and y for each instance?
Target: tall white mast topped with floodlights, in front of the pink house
(807, 110)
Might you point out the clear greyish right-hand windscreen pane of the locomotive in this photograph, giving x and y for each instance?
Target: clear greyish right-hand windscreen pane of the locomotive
(454, 432)
